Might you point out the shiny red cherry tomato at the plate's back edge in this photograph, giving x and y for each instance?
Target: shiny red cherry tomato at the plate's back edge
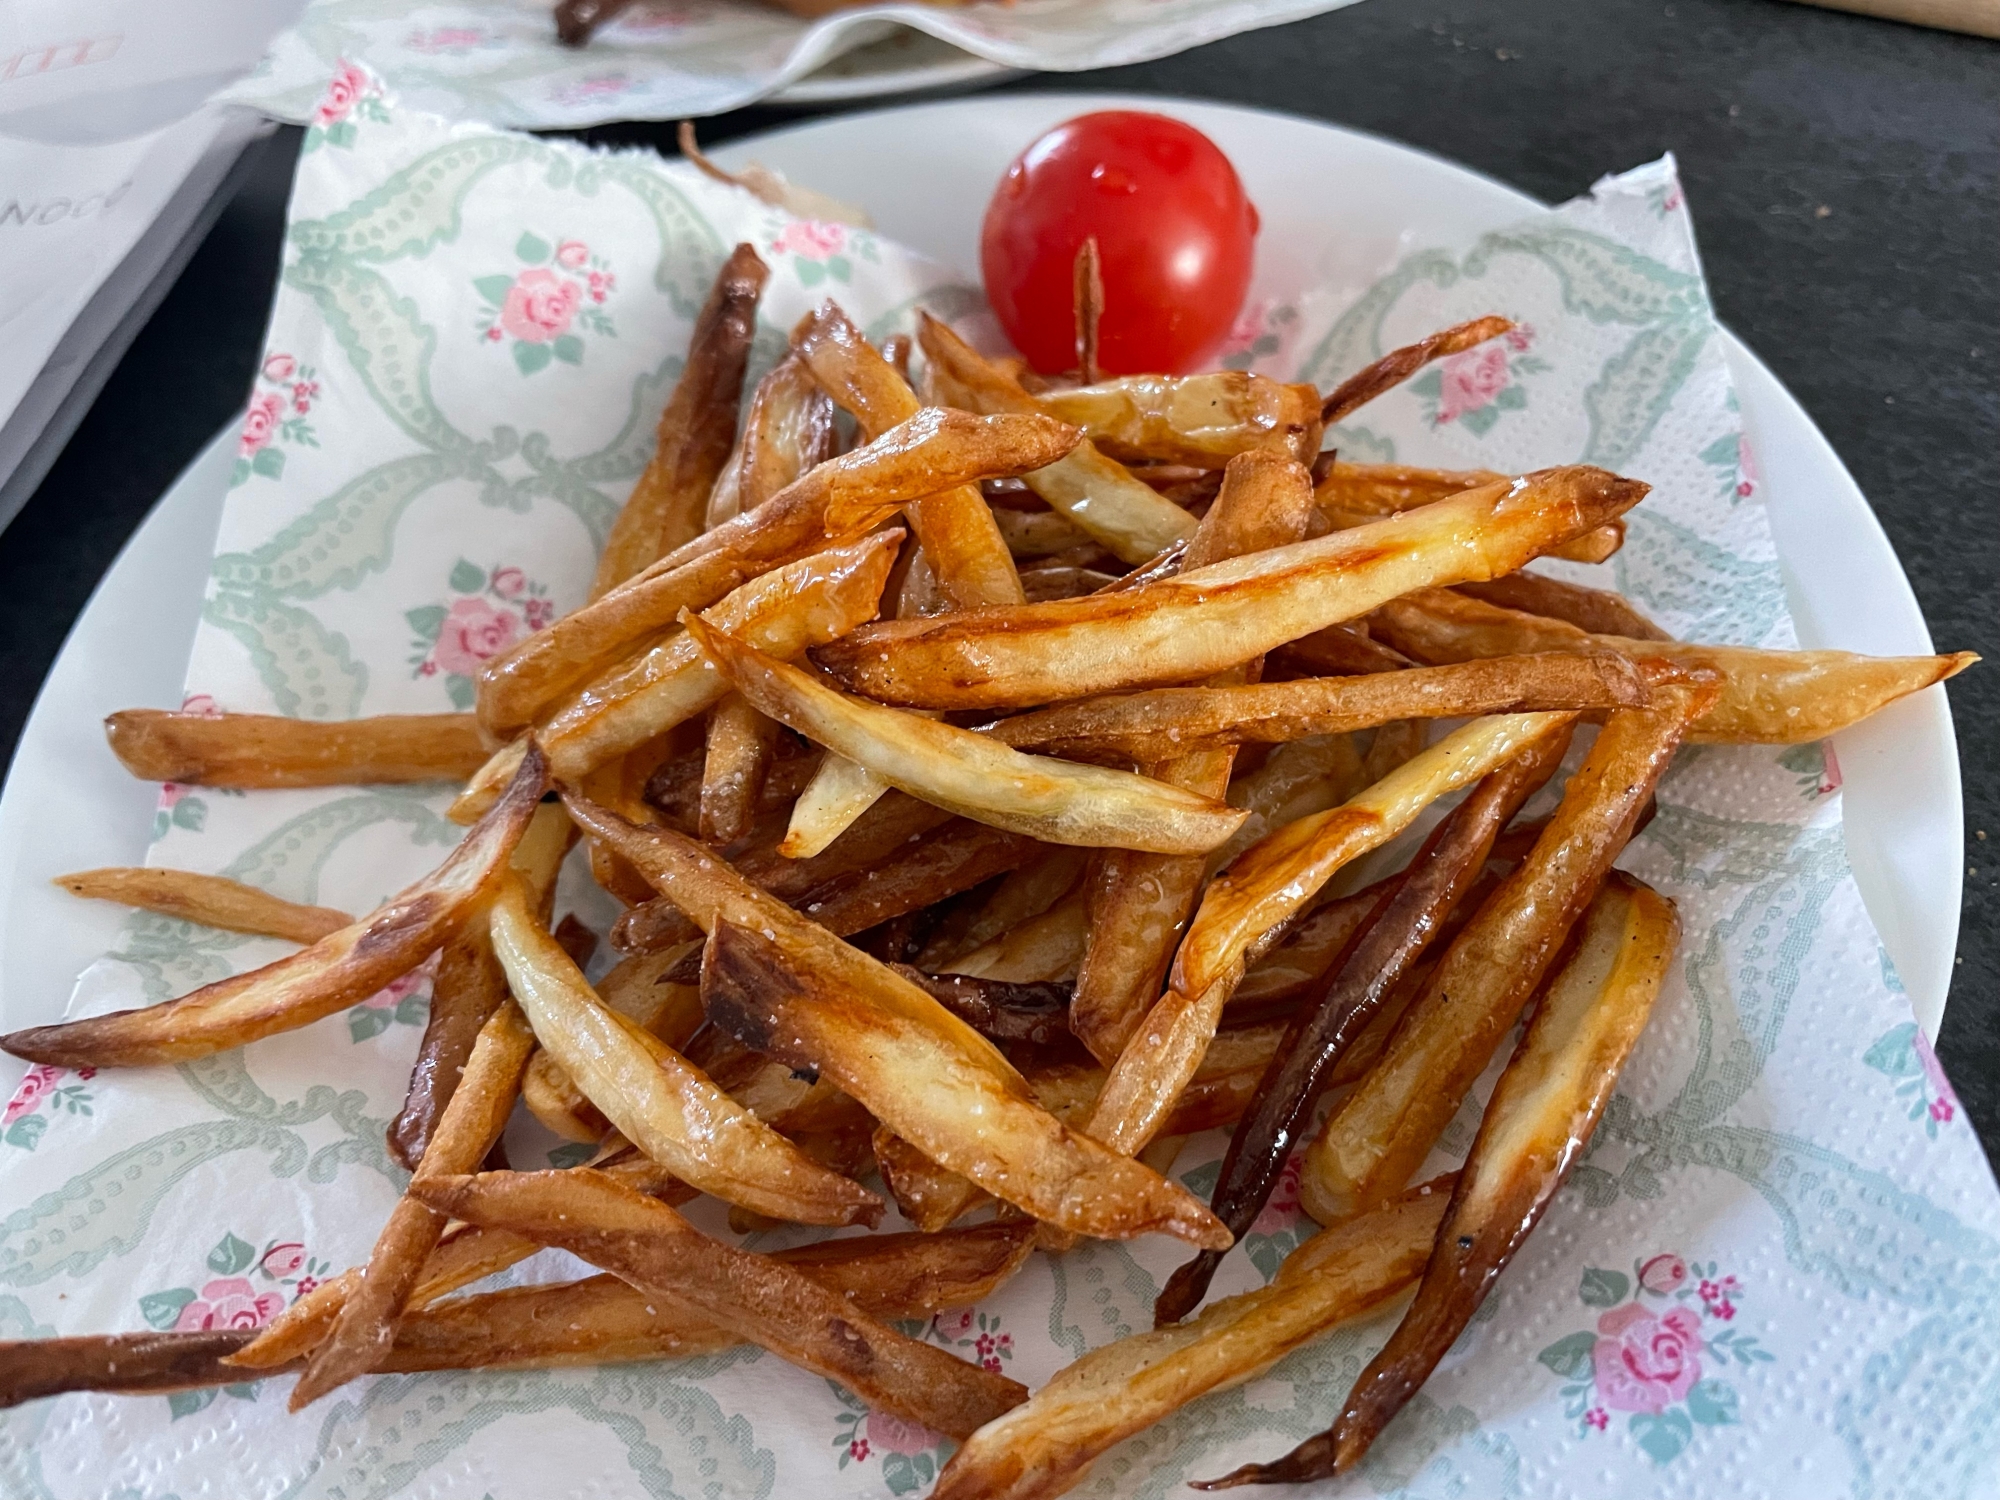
(1175, 237)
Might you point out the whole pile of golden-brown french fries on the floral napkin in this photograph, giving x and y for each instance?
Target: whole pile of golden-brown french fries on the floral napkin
(977, 763)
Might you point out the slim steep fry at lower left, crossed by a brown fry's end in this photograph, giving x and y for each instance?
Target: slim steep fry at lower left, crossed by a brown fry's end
(467, 1131)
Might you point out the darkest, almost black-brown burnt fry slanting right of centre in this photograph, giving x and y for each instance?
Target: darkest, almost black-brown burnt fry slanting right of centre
(1405, 923)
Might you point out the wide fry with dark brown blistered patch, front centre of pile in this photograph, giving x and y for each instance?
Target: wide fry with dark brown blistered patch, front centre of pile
(885, 1041)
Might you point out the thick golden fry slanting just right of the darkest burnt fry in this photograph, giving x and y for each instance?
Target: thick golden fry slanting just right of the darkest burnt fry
(1381, 1135)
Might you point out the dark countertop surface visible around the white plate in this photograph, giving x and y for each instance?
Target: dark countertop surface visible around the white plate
(1845, 177)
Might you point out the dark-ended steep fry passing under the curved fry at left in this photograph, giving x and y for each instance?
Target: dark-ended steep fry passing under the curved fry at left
(467, 991)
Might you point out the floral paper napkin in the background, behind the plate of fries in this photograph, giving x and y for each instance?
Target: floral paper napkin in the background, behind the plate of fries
(499, 61)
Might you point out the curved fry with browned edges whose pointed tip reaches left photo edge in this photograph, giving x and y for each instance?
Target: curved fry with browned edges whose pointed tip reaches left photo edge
(333, 975)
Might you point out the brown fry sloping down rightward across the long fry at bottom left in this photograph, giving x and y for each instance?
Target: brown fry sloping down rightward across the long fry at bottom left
(765, 1301)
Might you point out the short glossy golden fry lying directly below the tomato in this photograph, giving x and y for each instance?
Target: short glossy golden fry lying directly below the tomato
(1203, 421)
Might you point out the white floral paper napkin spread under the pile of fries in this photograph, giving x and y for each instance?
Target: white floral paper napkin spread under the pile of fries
(1775, 1275)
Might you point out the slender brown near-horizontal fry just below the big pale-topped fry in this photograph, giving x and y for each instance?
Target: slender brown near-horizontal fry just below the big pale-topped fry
(1179, 721)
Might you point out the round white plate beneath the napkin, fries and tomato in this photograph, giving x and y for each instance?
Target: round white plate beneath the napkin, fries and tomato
(69, 805)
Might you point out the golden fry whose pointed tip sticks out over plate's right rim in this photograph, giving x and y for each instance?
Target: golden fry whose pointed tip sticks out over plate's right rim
(1767, 697)
